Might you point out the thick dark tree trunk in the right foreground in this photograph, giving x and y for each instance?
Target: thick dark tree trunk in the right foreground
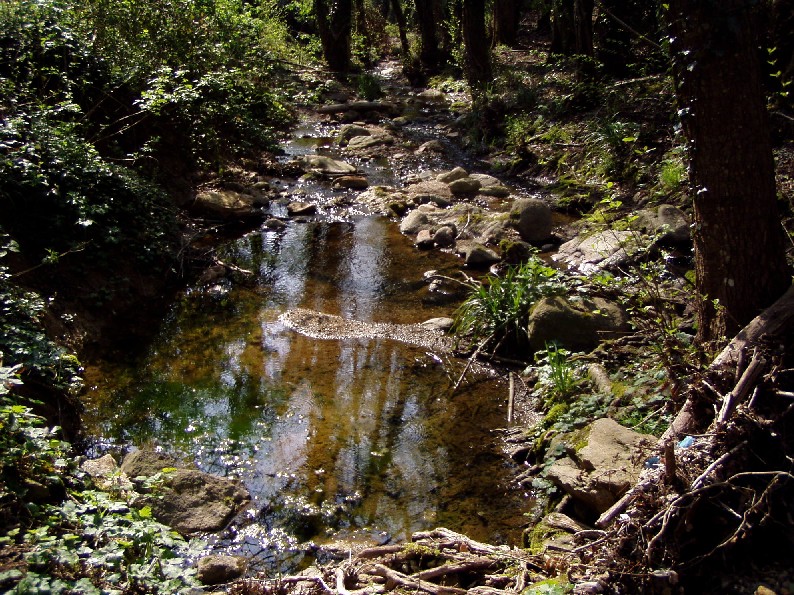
(739, 242)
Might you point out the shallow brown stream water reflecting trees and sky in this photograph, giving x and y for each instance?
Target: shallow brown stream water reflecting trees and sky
(338, 440)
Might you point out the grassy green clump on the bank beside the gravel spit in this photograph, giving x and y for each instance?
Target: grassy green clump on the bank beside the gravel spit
(497, 309)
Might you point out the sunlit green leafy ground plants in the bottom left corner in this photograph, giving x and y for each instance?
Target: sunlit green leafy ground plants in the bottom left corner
(88, 542)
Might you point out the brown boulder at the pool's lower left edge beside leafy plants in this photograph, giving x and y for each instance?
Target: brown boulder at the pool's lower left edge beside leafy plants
(189, 501)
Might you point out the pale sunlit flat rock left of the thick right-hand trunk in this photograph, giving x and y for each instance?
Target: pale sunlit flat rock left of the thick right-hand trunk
(598, 251)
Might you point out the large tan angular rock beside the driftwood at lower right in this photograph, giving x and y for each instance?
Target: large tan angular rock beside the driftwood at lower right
(603, 470)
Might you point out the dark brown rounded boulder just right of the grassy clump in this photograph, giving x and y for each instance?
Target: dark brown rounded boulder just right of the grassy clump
(576, 324)
